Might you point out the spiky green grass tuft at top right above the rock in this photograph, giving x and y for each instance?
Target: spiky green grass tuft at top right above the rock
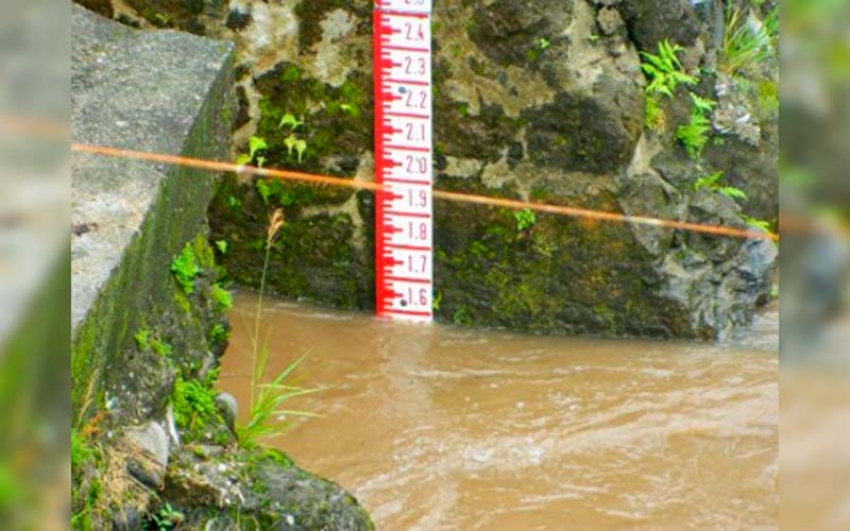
(748, 41)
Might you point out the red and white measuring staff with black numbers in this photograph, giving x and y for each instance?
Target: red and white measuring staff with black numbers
(403, 159)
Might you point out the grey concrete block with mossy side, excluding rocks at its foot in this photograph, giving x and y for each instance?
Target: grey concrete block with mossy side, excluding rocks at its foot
(131, 219)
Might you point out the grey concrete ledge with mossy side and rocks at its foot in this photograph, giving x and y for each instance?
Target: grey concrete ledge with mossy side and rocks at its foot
(150, 446)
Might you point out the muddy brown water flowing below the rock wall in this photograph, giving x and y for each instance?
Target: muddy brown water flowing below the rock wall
(439, 427)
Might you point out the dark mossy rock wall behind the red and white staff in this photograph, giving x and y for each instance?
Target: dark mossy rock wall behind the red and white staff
(541, 101)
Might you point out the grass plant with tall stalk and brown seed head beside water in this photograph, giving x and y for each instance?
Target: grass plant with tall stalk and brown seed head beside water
(267, 416)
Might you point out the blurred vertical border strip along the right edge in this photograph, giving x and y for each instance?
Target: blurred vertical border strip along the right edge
(815, 262)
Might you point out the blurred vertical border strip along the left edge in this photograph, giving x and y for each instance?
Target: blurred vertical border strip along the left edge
(34, 264)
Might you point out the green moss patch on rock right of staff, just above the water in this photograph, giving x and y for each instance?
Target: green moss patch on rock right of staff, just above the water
(556, 275)
